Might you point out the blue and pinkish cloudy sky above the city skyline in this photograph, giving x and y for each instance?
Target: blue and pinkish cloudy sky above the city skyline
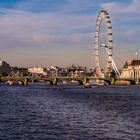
(61, 32)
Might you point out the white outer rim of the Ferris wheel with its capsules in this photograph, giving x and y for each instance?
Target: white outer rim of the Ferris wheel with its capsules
(103, 14)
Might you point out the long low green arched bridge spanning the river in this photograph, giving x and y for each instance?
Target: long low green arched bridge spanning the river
(82, 80)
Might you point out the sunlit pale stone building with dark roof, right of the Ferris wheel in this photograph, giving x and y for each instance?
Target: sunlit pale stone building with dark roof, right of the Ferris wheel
(131, 69)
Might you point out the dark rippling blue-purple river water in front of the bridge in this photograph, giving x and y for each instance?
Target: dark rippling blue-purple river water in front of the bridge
(43, 112)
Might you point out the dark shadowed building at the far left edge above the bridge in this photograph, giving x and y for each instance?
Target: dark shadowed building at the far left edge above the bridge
(5, 68)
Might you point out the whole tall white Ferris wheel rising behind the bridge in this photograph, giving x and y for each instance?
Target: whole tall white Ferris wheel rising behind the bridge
(107, 44)
